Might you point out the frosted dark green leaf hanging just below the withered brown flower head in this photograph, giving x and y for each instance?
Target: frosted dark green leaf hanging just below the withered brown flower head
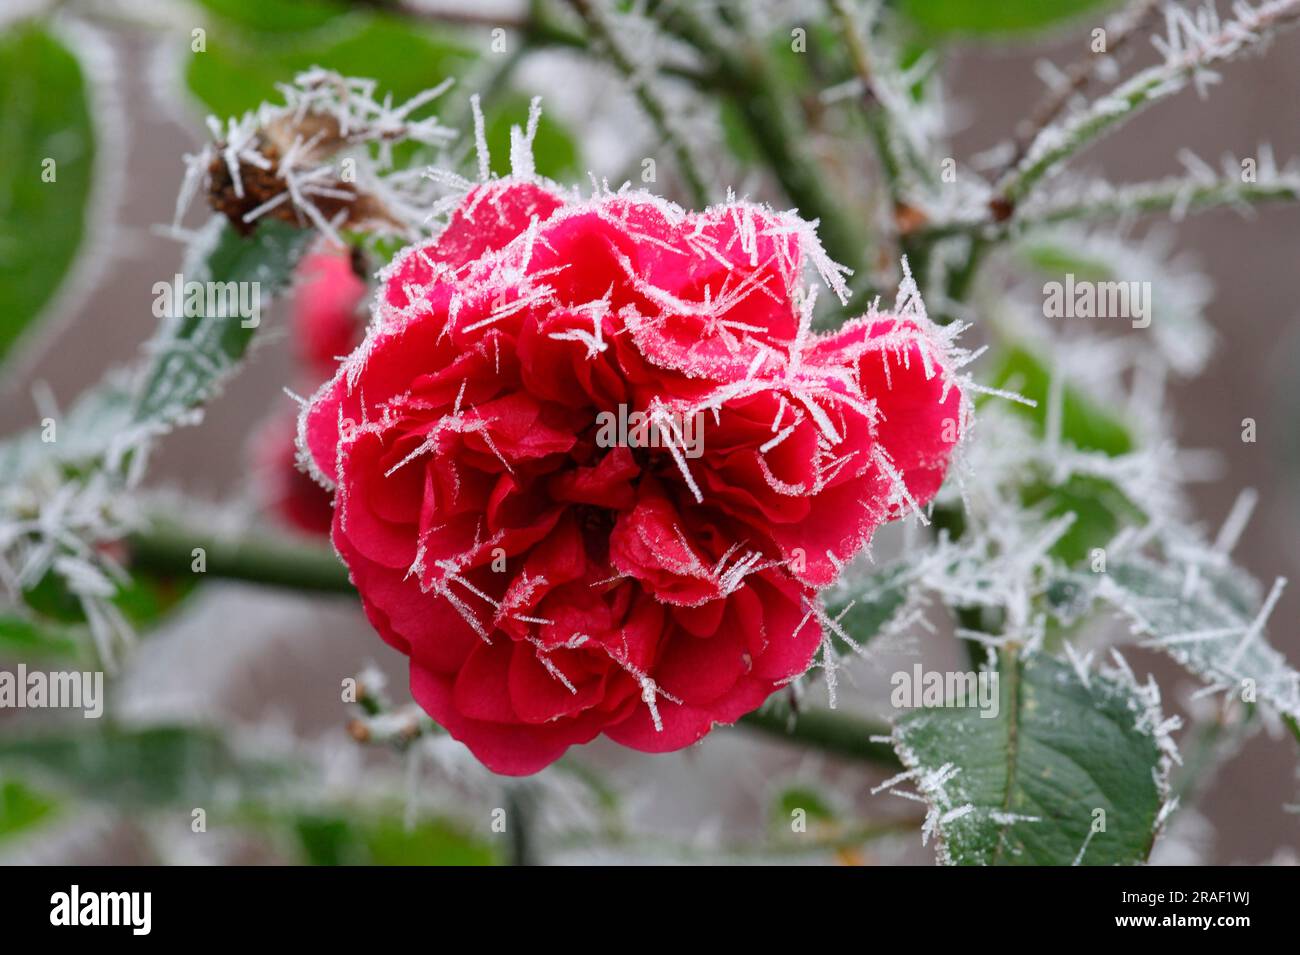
(194, 354)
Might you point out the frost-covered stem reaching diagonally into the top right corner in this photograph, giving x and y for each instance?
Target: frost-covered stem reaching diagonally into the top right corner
(1058, 144)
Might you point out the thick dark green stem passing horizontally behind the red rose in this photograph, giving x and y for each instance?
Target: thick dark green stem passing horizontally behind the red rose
(168, 549)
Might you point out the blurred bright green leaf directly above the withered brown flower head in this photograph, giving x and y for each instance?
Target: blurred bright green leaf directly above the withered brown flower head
(237, 72)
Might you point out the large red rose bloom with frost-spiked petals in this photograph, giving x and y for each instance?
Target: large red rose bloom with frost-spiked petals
(548, 588)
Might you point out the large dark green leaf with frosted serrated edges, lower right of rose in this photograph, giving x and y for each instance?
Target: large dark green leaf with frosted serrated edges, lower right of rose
(1022, 788)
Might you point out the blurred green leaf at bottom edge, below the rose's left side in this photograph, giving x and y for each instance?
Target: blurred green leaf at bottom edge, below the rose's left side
(385, 841)
